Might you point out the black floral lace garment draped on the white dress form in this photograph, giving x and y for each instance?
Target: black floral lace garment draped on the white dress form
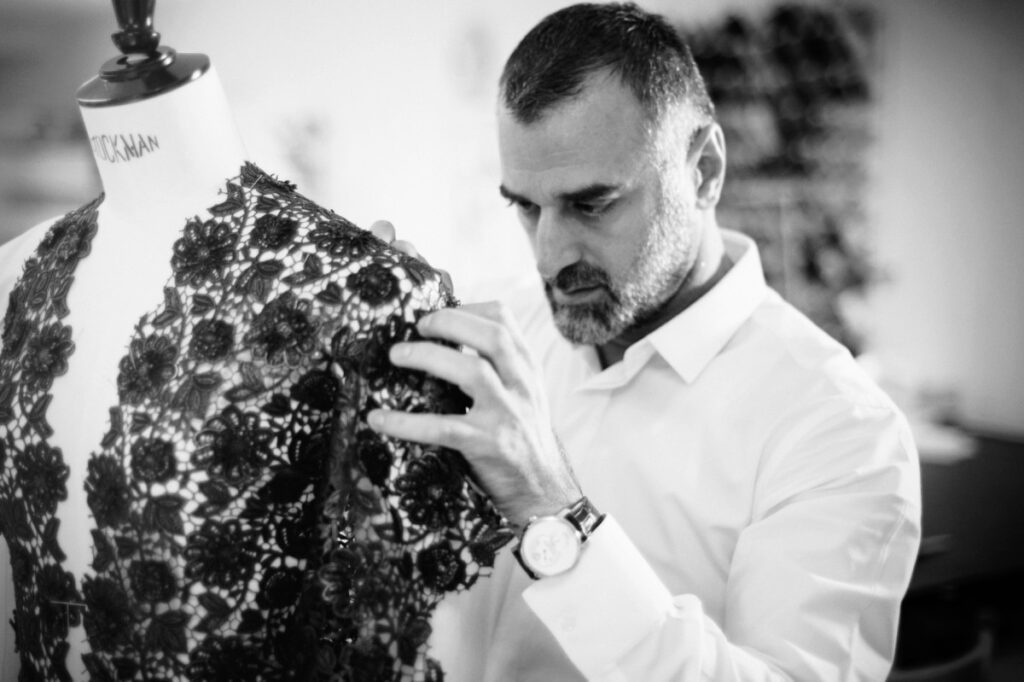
(249, 526)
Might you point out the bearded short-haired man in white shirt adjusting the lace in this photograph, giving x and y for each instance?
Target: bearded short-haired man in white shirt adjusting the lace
(752, 505)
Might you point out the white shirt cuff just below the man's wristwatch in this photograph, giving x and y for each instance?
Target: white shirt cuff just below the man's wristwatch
(604, 607)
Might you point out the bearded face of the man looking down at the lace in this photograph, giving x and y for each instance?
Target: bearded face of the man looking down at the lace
(608, 205)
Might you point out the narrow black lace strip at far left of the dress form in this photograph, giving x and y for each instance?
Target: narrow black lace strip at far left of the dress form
(33, 474)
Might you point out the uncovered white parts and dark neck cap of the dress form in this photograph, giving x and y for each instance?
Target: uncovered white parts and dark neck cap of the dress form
(162, 151)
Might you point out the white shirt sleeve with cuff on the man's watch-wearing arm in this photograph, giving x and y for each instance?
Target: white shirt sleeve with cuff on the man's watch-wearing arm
(816, 582)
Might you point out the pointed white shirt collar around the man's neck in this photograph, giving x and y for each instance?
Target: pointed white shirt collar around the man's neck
(691, 340)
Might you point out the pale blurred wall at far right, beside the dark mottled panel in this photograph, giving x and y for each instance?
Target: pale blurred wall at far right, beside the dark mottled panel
(949, 206)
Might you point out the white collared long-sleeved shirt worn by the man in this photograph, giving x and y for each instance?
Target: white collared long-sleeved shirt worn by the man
(763, 501)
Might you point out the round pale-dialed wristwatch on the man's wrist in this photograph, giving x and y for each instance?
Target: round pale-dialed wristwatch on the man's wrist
(551, 545)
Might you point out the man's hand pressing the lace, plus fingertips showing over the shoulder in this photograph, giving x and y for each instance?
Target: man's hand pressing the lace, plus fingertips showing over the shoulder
(506, 437)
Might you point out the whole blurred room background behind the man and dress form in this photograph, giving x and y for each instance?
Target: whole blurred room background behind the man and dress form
(876, 155)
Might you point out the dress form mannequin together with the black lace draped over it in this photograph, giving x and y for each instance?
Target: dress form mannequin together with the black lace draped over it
(194, 481)
